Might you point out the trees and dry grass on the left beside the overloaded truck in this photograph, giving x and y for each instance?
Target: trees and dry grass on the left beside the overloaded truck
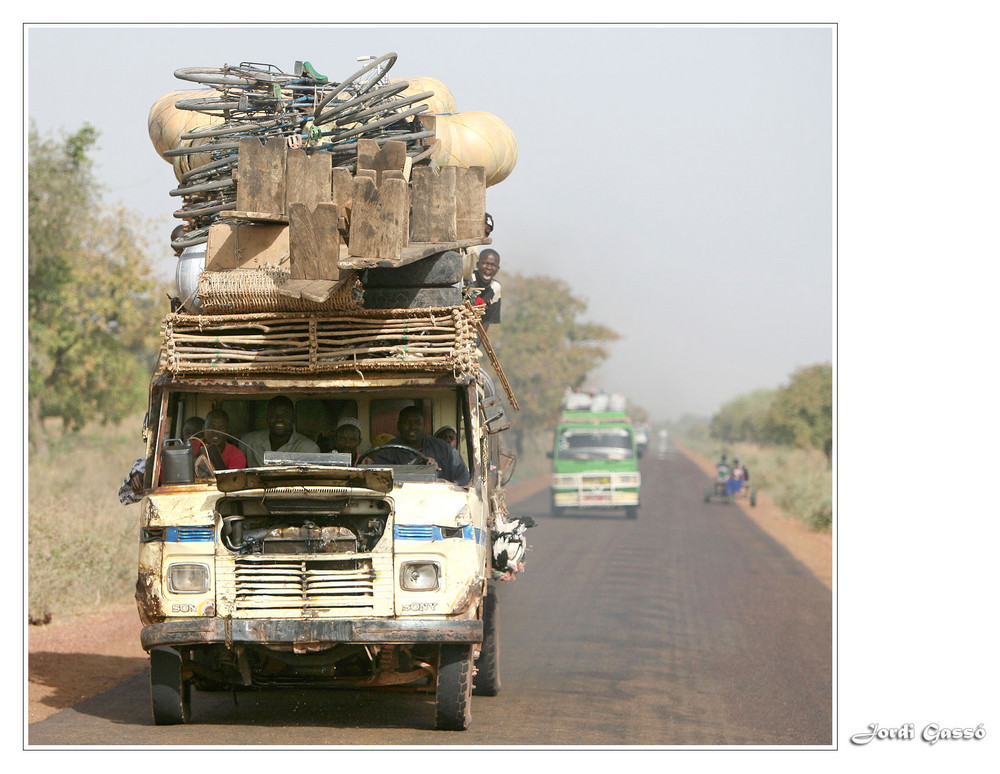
(93, 306)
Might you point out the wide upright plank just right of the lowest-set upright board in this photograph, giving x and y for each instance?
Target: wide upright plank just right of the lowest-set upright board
(379, 219)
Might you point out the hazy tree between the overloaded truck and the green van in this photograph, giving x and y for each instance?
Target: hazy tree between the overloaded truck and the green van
(544, 346)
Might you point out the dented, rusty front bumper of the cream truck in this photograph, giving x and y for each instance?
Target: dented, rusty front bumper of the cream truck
(278, 632)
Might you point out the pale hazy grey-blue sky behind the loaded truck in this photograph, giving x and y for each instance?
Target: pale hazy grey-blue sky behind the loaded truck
(680, 179)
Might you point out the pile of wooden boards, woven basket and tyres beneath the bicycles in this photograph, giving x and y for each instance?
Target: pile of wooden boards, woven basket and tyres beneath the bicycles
(309, 236)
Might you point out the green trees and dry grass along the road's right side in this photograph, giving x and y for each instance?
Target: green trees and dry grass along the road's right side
(784, 436)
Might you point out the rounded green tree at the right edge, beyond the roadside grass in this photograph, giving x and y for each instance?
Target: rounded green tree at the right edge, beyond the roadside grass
(802, 414)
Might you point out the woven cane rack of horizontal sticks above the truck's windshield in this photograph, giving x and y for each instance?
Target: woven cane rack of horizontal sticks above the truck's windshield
(439, 339)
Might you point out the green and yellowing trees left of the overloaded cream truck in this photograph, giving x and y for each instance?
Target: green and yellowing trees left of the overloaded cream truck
(93, 302)
